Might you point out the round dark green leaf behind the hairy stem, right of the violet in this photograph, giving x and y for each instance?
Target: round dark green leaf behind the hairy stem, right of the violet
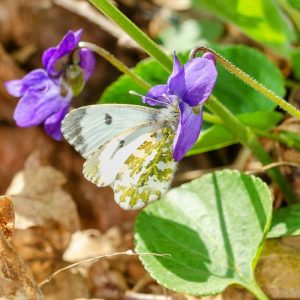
(238, 96)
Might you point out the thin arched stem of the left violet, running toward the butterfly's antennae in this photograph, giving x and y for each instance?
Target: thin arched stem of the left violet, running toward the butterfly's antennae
(115, 62)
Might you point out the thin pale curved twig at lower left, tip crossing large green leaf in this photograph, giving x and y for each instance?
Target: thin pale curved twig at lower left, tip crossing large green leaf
(128, 252)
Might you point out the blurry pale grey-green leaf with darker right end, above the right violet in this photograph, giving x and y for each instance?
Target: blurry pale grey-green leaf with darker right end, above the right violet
(191, 33)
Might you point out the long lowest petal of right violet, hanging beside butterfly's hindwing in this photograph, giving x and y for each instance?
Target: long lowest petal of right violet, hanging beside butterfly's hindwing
(188, 130)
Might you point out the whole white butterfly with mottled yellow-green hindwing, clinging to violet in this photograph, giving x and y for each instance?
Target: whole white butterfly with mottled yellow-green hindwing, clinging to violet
(127, 147)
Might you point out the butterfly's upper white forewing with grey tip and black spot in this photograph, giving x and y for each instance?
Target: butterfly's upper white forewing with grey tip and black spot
(89, 127)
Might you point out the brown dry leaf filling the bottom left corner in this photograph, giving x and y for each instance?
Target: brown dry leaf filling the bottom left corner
(16, 282)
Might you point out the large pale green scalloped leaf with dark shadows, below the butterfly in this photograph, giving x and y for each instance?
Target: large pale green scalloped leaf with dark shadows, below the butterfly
(213, 229)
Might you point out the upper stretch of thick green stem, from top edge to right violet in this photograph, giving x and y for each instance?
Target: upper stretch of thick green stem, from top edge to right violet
(108, 9)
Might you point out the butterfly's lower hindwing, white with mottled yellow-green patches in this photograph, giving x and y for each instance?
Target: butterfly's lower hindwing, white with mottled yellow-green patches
(147, 173)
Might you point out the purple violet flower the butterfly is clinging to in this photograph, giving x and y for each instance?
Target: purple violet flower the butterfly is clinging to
(187, 88)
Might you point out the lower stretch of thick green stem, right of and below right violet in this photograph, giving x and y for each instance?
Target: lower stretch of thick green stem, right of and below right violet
(247, 137)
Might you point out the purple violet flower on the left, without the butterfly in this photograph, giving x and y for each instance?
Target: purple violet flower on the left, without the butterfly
(46, 93)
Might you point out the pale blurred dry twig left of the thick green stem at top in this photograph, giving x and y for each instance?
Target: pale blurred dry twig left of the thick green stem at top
(85, 10)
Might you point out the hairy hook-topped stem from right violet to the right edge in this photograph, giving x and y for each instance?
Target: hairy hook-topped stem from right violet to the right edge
(250, 81)
